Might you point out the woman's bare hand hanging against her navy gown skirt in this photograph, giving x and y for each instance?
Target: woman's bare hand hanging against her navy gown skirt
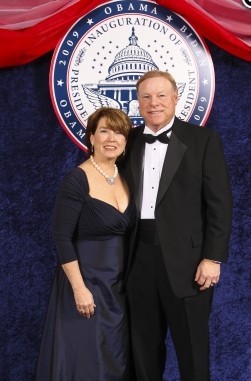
(84, 301)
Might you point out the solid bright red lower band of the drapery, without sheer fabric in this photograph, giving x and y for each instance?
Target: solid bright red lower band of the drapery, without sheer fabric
(21, 46)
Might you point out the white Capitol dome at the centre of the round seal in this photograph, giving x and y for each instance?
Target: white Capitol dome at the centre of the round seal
(131, 62)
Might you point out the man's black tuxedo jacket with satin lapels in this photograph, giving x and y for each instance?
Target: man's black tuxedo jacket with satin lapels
(194, 202)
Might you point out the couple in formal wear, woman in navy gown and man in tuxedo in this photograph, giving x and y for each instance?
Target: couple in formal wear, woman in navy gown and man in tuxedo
(140, 242)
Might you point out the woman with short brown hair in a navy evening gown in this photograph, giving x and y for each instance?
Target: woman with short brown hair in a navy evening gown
(85, 335)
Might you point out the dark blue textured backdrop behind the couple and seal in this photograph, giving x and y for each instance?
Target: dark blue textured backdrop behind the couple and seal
(36, 153)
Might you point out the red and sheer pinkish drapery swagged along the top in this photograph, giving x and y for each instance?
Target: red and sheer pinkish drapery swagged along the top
(33, 29)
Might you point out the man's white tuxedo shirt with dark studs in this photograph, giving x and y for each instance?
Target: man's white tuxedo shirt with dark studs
(153, 163)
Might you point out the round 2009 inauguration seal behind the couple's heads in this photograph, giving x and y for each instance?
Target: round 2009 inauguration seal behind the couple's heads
(101, 57)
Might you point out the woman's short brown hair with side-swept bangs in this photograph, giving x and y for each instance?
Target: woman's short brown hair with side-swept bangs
(116, 120)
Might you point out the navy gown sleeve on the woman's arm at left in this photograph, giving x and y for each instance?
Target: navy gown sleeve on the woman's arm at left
(68, 207)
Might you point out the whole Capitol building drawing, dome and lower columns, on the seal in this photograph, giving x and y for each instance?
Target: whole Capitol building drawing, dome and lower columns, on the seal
(120, 84)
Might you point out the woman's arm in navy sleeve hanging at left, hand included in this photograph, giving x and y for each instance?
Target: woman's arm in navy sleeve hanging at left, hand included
(68, 207)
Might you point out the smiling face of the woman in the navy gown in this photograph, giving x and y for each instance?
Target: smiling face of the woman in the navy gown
(107, 144)
